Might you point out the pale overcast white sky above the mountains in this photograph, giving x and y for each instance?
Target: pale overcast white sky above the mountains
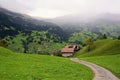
(56, 8)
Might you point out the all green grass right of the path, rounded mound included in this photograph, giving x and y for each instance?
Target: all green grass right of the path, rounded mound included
(105, 53)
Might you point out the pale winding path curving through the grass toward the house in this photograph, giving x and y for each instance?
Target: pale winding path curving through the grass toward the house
(100, 72)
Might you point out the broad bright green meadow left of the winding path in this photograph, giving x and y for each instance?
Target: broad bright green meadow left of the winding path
(18, 66)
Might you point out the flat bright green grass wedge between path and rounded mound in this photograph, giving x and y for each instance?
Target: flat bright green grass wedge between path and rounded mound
(111, 62)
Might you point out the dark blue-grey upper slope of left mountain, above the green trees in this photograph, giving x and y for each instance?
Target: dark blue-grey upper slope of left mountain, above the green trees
(12, 23)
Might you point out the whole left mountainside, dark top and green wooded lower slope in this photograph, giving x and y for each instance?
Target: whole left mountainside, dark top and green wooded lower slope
(22, 33)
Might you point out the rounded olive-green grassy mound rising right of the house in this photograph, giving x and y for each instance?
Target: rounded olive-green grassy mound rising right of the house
(101, 47)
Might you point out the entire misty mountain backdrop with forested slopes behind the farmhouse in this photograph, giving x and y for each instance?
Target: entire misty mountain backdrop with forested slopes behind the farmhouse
(22, 33)
